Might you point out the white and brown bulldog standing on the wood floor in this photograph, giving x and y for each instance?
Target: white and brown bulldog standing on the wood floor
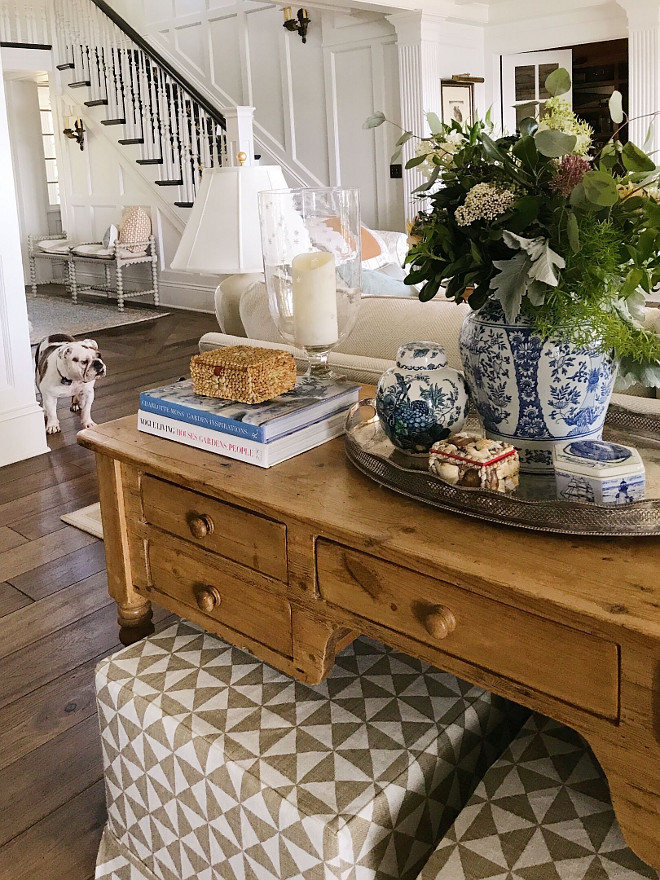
(67, 368)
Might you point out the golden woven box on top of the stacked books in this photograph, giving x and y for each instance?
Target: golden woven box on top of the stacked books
(243, 373)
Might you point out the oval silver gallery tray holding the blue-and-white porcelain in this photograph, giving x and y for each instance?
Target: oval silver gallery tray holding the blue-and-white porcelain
(534, 504)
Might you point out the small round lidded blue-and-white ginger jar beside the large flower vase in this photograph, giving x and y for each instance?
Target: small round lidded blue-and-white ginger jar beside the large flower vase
(421, 400)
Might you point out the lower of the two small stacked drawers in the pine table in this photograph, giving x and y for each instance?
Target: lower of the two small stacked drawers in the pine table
(263, 616)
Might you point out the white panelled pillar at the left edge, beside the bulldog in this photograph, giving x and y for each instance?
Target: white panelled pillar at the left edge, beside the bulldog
(22, 433)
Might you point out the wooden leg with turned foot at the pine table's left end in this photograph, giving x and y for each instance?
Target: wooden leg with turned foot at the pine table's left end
(134, 611)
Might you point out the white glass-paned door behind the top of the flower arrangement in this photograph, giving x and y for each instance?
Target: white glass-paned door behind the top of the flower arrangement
(523, 79)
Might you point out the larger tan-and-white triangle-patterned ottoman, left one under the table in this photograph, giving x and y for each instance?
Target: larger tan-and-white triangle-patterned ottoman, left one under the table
(217, 765)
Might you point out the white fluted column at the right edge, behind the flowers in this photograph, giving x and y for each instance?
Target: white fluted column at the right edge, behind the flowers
(644, 69)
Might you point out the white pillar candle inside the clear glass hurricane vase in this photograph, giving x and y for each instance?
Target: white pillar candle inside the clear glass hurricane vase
(315, 299)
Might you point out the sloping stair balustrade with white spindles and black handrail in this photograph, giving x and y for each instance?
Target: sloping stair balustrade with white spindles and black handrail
(174, 128)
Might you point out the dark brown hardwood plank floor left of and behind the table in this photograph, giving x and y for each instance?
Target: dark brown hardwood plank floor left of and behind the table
(57, 620)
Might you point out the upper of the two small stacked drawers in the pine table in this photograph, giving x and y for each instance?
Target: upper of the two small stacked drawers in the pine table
(237, 534)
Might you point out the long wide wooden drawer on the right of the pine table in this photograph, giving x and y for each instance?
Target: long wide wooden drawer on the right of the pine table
(549, 657)
